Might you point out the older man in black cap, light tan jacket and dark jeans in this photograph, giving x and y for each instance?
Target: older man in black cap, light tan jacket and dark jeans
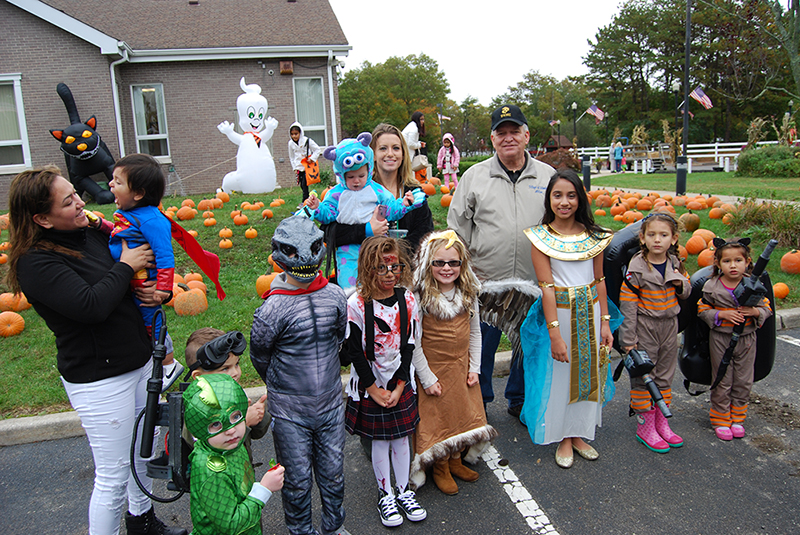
(496, 200)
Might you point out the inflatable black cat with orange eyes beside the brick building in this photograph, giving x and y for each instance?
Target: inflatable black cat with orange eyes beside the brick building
(85, 153)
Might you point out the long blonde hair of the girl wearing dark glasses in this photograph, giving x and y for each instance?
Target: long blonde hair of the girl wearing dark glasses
(424, 282)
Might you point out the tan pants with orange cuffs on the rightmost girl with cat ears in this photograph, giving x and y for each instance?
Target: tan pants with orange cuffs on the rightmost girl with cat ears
(729, 400)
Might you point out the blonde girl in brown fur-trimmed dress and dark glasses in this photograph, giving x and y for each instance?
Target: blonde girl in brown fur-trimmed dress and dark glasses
(447, 359)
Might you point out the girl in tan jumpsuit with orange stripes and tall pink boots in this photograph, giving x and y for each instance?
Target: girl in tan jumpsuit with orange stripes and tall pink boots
(656, 279)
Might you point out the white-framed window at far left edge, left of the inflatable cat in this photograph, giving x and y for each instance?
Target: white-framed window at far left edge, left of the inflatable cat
(15, 152)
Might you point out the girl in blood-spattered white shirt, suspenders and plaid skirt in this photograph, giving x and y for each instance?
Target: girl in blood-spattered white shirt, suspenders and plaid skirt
(383, 322)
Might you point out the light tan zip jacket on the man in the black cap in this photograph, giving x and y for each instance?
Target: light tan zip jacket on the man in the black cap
(490, 213)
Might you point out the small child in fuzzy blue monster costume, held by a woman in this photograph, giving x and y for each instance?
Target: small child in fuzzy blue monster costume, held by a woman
(354, 198)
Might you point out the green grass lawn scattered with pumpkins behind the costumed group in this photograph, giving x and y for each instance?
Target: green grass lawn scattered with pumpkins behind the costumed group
(30, 381)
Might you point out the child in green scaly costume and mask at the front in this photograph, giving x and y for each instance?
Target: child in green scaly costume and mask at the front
(225, 495)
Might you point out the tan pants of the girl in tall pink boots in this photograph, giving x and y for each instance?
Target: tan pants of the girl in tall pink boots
(659, 338)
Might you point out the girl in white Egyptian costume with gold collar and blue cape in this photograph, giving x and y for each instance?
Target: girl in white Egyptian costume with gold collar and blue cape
(567, 334)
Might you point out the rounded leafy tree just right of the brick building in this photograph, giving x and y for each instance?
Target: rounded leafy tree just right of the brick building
(390, 92)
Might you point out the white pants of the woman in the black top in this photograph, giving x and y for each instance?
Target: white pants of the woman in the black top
(108, 410)
